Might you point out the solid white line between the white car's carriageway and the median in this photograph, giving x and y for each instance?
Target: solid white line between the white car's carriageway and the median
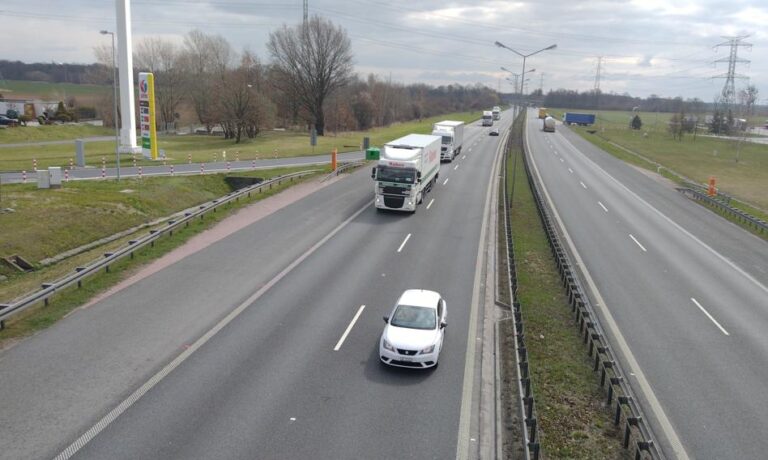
(465, 414)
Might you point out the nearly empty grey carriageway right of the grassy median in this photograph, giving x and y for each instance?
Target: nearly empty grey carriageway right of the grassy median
(681, 292)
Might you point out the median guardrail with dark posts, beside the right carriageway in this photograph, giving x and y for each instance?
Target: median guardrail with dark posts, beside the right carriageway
(627, 409)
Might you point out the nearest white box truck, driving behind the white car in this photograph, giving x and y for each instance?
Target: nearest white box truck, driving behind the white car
(407, 169)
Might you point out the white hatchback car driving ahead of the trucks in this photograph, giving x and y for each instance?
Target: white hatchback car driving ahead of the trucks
(413, 336)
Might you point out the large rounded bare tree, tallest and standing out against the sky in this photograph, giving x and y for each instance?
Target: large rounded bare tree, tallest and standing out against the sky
(314, 60)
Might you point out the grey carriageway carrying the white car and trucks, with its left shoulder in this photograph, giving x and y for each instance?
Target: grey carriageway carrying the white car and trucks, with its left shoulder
(264, 344)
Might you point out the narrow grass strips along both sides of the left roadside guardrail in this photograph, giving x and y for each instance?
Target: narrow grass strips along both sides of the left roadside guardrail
(41, 316)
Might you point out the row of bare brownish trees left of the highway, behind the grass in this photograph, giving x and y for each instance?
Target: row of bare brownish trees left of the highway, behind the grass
(308, 83)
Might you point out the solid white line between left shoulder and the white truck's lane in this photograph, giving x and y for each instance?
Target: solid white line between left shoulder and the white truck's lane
(155, 379)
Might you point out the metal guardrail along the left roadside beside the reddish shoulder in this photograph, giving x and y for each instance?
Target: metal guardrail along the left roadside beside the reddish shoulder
(49, 289)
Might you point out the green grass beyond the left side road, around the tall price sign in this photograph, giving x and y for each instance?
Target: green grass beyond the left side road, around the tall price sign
(202, 148)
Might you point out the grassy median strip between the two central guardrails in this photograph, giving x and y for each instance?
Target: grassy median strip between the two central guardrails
(573, 418)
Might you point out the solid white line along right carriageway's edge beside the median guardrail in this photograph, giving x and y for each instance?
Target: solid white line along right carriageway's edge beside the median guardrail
(634, 367)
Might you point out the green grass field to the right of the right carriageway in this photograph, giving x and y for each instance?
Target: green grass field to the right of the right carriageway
(740, 168)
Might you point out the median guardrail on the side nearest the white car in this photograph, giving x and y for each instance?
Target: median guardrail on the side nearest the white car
(530, 427)
